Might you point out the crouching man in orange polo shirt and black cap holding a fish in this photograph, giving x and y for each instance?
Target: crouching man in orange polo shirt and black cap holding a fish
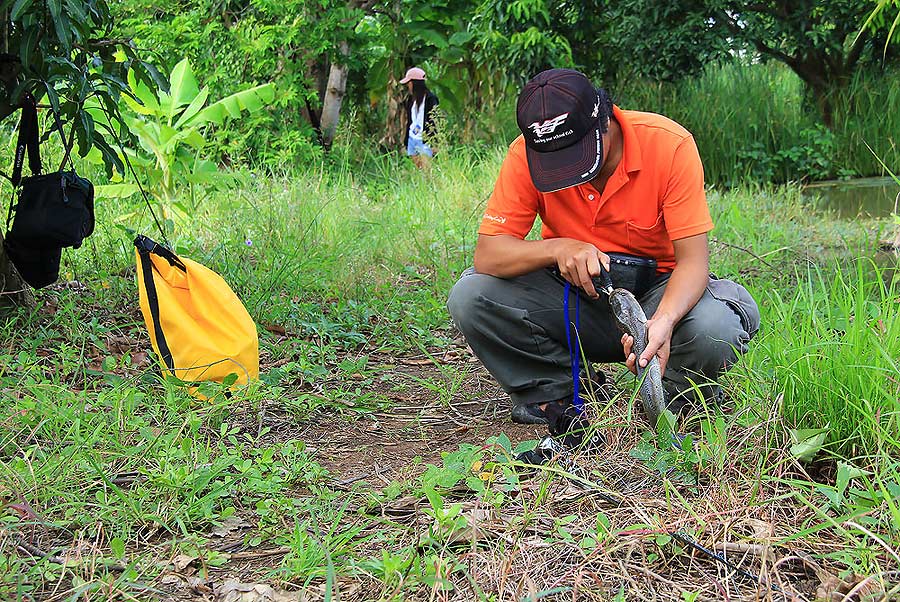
(621, 189)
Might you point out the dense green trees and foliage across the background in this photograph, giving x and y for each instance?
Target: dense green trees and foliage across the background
(821, 84)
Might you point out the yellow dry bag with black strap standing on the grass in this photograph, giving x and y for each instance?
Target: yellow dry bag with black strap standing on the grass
(198, 327)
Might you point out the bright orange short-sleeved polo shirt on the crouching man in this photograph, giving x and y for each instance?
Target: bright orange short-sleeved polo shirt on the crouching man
(655, 195)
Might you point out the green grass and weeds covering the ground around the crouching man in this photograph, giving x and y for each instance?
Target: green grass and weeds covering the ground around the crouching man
(352, 262)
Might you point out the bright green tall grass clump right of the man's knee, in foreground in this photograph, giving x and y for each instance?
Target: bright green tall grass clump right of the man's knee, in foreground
(832, 349)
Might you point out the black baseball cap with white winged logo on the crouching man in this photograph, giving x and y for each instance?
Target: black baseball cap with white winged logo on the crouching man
(559, 114)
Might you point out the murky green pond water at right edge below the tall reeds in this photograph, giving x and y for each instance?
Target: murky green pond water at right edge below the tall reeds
(873, 197)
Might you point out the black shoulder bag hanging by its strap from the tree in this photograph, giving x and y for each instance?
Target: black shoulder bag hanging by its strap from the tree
(51, 211)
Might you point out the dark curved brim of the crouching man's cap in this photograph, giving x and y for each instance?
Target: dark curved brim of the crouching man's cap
(567, 167)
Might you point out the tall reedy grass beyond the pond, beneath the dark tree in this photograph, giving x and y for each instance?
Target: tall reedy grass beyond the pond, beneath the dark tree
(755, 123)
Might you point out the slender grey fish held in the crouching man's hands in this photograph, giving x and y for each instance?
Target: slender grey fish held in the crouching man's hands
(631, 319)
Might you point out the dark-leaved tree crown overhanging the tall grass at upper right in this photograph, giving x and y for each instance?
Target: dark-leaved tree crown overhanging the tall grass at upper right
(820, 41)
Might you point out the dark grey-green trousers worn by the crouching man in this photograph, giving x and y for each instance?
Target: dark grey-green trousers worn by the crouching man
(517, 328)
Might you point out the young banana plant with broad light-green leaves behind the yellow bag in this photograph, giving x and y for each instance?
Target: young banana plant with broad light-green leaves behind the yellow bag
(170, 127)
